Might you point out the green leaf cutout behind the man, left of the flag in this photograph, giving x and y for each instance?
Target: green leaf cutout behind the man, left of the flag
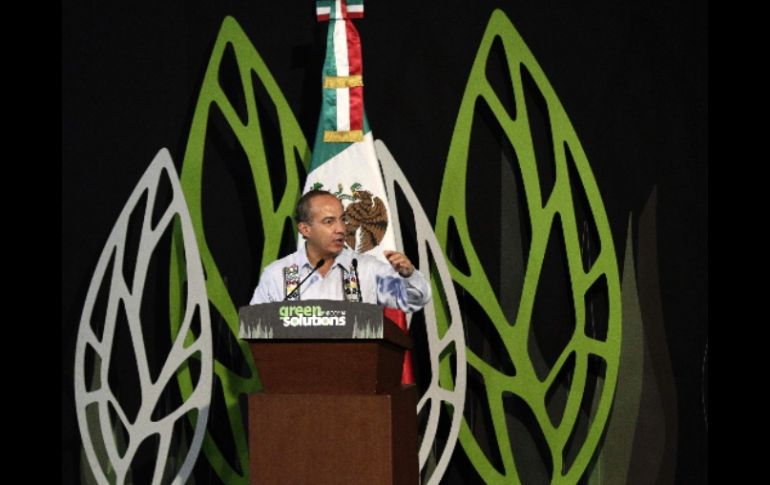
(274, 217)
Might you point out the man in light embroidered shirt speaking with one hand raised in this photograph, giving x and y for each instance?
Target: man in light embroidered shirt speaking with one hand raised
(326, 269)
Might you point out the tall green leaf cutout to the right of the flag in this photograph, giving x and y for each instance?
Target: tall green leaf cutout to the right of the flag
(526, 385)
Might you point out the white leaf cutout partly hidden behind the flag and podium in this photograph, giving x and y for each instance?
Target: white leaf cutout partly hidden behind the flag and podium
(443, 326)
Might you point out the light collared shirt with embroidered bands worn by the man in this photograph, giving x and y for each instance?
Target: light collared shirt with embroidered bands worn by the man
(379, 282)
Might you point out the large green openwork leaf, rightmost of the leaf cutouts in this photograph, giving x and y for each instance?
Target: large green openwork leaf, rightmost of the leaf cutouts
(570, 436)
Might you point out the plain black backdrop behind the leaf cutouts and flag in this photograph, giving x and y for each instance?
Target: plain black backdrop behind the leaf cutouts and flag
(631, 76)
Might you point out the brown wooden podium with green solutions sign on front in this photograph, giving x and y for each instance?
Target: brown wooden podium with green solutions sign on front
(333, 409)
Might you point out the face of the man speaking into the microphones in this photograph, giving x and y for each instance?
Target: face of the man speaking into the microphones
(325, 234)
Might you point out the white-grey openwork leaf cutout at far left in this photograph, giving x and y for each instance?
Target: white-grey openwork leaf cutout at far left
(123, 291)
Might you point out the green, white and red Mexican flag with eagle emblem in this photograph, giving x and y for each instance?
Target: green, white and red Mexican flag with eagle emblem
(344, 161)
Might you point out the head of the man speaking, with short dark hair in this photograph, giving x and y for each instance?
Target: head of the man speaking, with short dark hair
(320, 220)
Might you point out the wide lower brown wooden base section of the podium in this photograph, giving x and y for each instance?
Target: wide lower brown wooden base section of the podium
(334, 439)
